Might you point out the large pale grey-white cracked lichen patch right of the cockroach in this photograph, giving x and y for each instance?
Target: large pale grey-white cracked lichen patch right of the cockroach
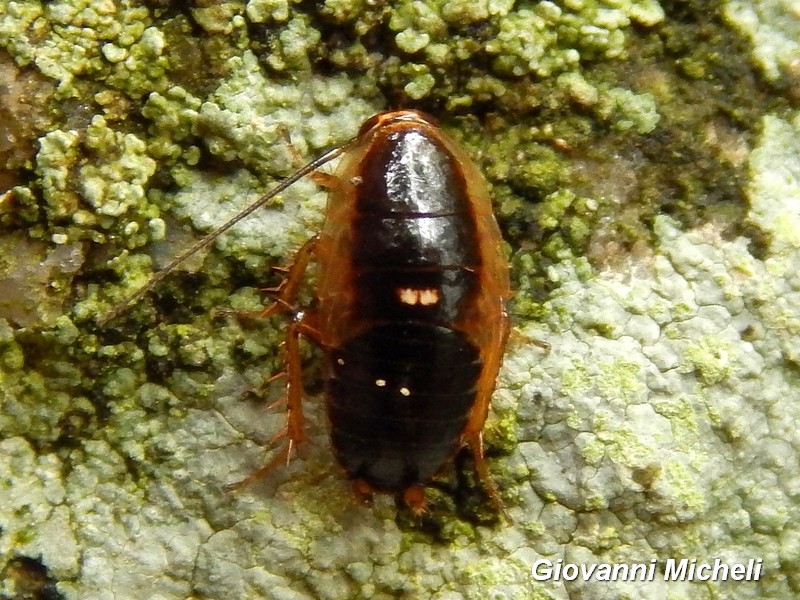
(683, 426)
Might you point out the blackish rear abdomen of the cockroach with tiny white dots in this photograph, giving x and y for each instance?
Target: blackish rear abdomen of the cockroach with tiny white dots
(398, 398)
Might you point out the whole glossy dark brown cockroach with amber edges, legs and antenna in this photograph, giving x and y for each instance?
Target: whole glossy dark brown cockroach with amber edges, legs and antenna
(410, 308)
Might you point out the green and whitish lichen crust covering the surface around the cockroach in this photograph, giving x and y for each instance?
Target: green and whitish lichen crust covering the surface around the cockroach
(646, 180)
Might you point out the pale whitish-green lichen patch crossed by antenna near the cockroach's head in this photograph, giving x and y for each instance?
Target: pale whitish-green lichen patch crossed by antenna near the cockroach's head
(243, 120)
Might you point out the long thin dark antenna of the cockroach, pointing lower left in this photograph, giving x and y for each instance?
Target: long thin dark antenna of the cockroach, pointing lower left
(209, 238)
